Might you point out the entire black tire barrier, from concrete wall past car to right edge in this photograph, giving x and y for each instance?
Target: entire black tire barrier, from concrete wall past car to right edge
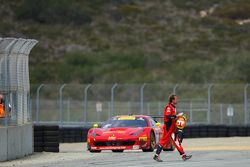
(47, 138)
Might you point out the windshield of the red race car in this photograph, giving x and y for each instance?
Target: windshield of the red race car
(125, 123)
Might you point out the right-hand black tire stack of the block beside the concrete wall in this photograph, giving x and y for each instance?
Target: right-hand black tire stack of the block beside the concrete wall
(51, 139)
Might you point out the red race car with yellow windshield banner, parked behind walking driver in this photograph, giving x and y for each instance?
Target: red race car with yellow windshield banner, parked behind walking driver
(126, 132)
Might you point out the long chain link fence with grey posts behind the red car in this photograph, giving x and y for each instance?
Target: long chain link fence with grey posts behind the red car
(80, 104)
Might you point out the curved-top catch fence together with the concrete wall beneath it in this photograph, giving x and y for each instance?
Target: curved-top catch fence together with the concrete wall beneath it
(16, 127)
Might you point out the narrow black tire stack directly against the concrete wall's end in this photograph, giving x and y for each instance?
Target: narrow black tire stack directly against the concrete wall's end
(38, 138)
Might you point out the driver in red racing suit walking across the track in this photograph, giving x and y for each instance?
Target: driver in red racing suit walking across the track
(169, 129)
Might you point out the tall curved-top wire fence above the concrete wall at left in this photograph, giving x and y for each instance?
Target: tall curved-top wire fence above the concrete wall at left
(14, 80)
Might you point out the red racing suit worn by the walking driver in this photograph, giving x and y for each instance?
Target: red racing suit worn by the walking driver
(170, 127)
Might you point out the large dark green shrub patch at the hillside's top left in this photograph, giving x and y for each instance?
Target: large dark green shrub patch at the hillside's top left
(54, 11)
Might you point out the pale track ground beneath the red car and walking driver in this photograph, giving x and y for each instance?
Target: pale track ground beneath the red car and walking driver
(221, 152)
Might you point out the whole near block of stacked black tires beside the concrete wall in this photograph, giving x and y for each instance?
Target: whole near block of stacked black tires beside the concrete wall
(46, 138)
